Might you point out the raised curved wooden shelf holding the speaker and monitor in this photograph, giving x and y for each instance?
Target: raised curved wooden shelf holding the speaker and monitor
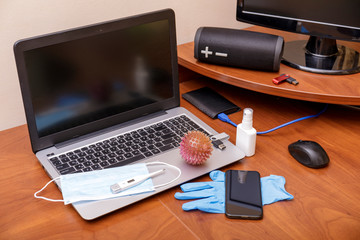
(337, 89)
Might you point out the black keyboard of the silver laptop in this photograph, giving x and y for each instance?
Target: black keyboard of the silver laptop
(126, 148)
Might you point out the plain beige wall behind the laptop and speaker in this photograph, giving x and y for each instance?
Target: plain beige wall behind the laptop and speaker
(21, 19)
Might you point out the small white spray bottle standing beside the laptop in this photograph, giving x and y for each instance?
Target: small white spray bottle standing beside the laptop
(246, 134)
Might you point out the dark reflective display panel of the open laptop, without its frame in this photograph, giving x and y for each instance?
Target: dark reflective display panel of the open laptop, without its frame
(84, 80)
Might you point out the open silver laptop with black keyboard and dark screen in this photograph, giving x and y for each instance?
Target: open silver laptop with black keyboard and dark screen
(99, 87)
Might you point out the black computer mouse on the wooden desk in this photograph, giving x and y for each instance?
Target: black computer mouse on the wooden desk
(309, 153)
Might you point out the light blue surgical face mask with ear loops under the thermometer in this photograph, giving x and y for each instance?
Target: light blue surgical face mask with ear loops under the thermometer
(95, 185)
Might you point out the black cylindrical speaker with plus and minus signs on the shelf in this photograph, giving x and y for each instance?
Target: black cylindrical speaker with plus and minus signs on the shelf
(239, 48)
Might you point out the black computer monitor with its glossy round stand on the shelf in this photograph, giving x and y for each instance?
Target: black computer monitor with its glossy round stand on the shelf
(324, 20)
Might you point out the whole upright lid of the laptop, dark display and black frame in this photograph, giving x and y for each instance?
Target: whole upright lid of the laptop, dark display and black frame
(83, 80)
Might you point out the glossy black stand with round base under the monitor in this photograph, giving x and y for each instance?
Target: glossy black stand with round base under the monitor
(321, 55)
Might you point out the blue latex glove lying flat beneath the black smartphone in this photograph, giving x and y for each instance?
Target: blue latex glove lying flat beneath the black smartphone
(212, 194)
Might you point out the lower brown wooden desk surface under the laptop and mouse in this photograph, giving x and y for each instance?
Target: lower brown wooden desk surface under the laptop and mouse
(325, 206)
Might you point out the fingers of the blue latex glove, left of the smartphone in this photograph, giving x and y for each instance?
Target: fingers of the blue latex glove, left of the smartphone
(211, 194)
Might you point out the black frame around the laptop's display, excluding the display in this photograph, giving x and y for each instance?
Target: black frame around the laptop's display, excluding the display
(38, 143)
